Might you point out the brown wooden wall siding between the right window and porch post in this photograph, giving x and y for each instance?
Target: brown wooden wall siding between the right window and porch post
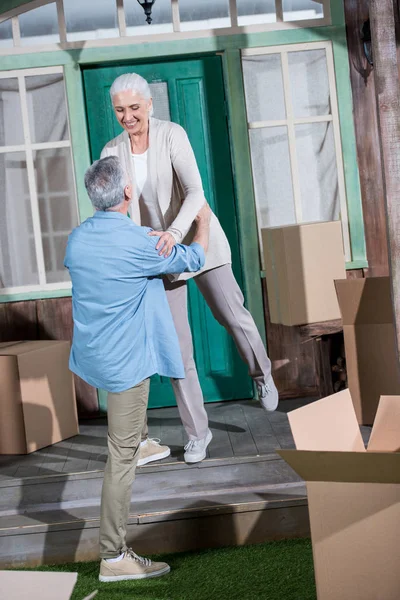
(367, 139)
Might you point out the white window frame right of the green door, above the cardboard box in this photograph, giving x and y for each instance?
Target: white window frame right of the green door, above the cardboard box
(290, 122)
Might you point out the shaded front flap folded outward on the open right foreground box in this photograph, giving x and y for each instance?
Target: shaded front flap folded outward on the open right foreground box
(346, 467)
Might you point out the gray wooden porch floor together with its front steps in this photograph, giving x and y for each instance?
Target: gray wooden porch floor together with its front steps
(242, 493)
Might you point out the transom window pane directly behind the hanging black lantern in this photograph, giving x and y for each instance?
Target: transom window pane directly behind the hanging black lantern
(136, 19)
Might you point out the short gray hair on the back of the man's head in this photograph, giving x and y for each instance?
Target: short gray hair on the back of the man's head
(105, 182)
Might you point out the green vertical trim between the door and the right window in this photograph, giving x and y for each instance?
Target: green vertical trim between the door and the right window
(246, 207)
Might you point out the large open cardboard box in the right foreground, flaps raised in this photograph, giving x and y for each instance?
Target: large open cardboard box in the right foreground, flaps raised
(353, 496)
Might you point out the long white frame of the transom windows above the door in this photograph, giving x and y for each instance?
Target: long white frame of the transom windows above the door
(176, 34)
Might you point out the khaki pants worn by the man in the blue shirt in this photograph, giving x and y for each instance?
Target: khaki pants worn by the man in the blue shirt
(126, 419)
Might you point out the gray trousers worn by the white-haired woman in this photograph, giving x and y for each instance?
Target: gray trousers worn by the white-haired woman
(225, 299)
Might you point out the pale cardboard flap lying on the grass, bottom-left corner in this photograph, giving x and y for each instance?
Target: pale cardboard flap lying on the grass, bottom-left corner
(37, 585)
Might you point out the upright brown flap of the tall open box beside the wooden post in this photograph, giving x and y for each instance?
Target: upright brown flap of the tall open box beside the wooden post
(365, 301)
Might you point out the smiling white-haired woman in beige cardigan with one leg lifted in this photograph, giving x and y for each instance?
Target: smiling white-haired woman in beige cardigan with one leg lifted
(168, 194)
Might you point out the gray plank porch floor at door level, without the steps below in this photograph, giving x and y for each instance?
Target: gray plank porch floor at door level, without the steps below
(240, 429)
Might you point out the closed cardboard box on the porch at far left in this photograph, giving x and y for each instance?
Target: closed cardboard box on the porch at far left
(37, 397)
